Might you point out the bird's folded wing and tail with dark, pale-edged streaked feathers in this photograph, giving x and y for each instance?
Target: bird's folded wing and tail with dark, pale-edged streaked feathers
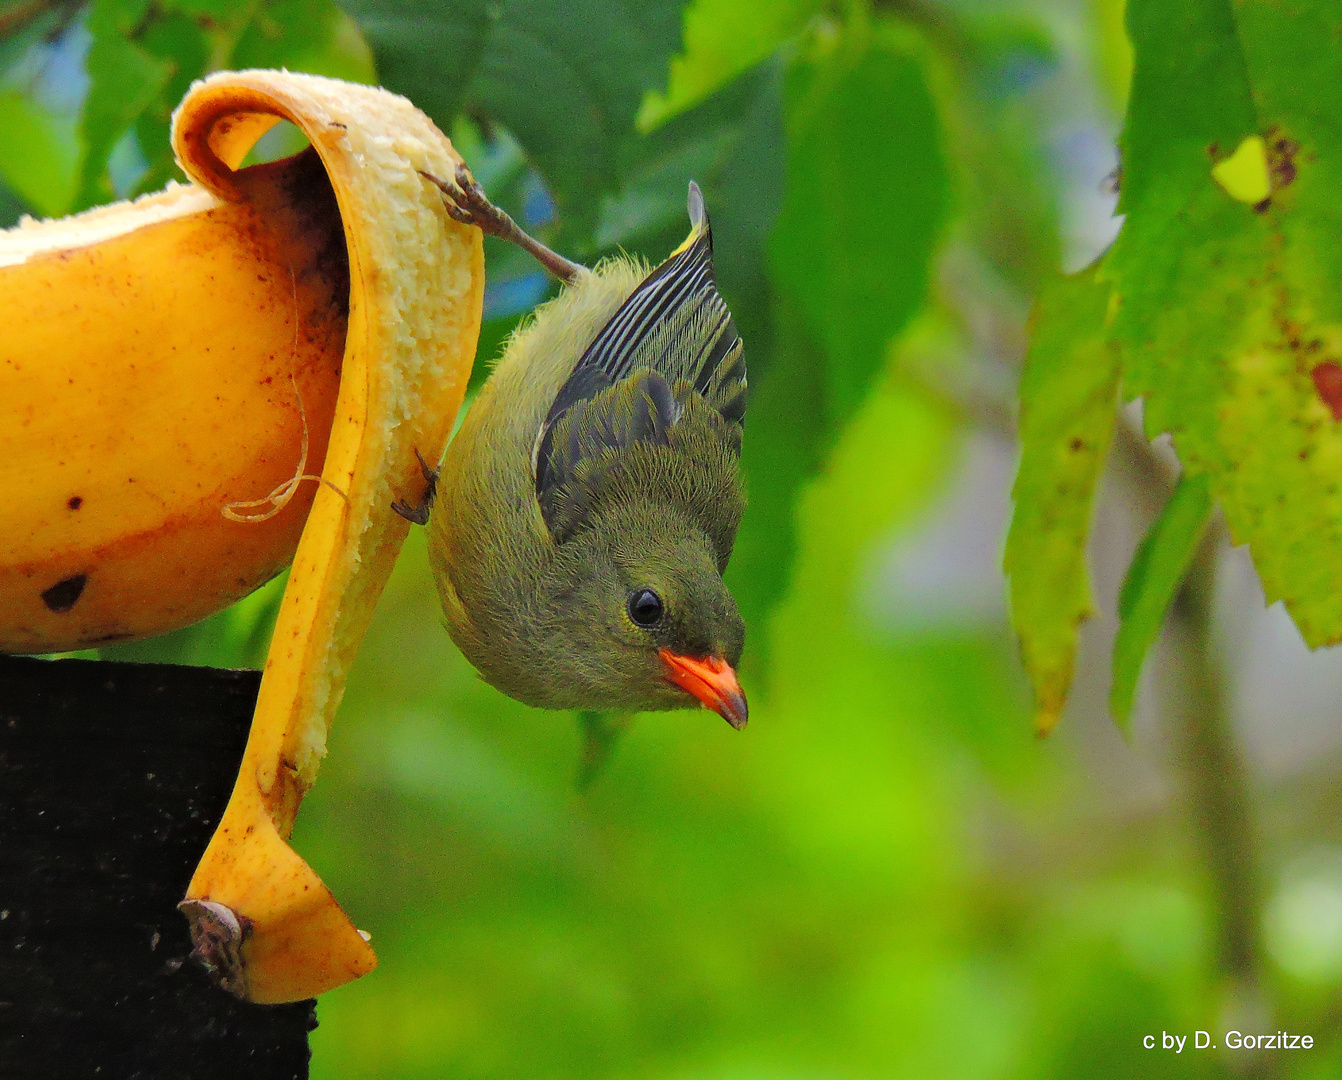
(673, 336)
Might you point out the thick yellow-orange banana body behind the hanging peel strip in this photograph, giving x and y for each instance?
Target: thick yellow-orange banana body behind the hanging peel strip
(158, 363)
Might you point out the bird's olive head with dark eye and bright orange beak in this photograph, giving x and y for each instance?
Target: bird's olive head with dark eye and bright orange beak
(649, 620)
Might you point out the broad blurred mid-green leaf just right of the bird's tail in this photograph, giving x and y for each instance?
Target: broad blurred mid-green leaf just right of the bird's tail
(866, 199)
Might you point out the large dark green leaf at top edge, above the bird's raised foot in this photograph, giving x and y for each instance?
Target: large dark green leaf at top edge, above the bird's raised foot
(567, 87)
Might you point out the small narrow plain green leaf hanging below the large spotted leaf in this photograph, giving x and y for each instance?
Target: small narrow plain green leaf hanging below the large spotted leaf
(1153, 579)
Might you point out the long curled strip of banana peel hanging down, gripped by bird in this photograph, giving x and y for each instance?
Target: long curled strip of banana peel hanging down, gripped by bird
(417, 289)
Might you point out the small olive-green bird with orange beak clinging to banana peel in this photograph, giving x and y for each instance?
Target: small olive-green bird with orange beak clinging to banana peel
(594, 492)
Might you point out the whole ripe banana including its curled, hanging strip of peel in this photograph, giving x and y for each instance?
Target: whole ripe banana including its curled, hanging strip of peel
(372, 387)
